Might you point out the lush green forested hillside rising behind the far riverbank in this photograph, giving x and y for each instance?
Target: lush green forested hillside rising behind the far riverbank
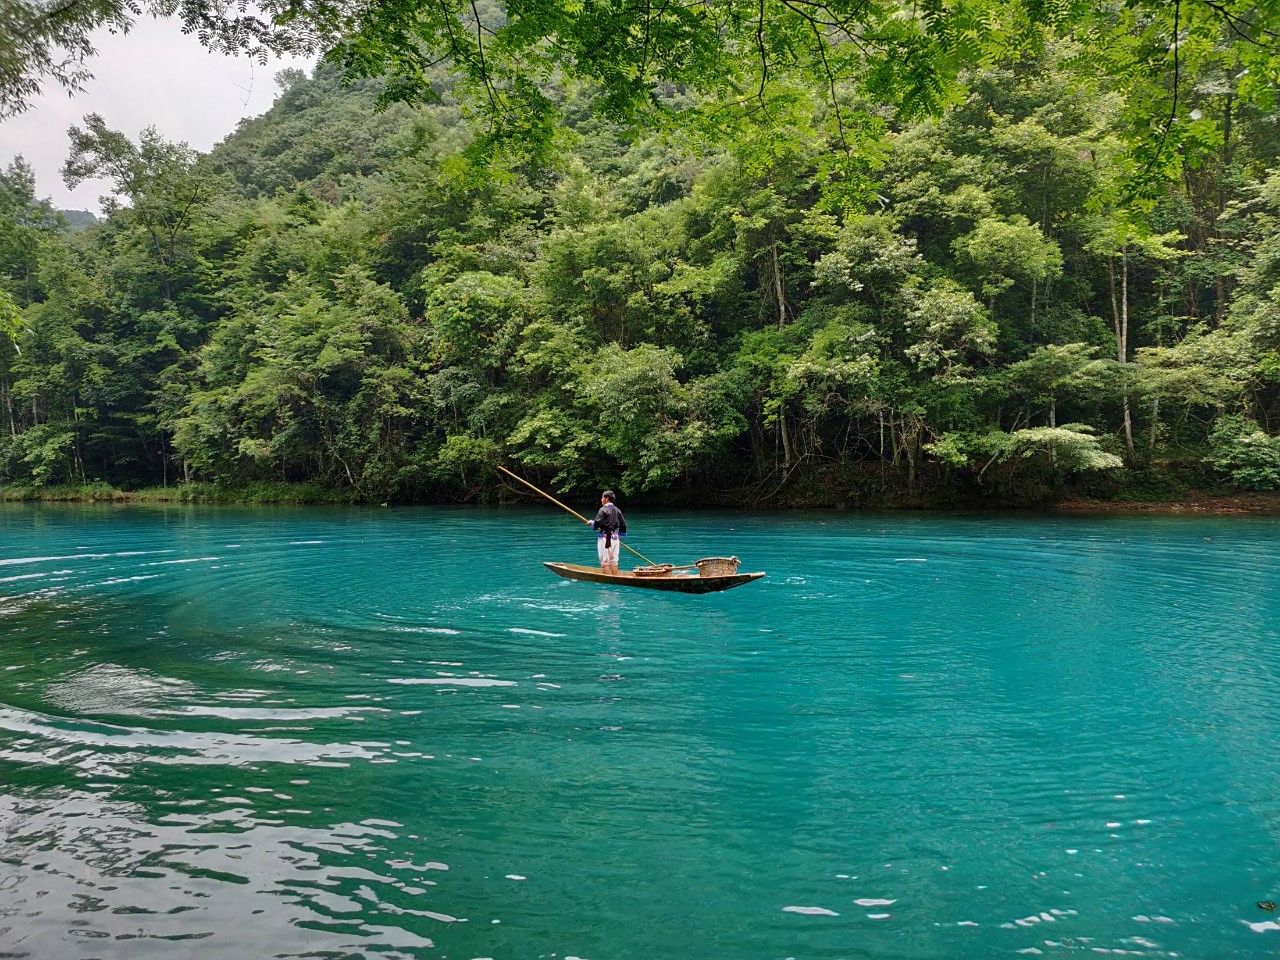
(1000, 300)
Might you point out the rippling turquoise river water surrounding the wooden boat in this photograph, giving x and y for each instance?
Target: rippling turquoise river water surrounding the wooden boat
(392, 734)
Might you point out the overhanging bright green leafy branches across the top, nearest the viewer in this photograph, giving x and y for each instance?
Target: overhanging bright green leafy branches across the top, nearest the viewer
(701, 65)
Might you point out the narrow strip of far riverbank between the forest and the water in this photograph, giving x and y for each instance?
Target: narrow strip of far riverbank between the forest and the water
(1183, 501)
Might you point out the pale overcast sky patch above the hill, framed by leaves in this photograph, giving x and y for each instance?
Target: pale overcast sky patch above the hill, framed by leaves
(154, 76)
